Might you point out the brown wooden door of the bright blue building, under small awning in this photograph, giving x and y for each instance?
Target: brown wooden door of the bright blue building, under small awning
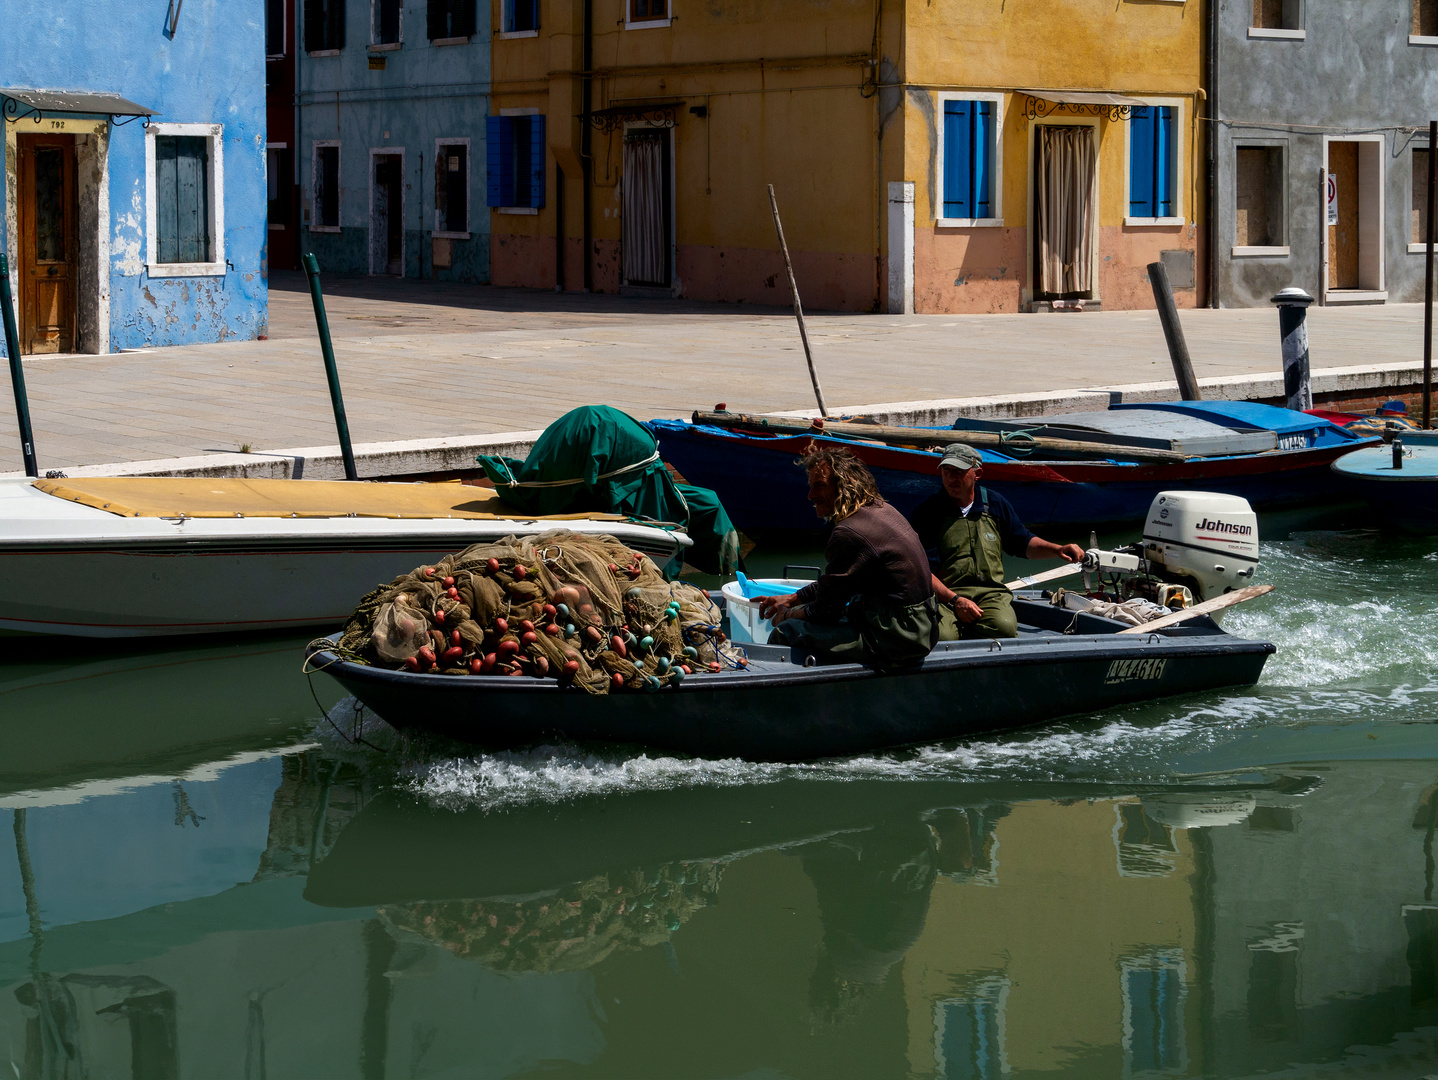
(48, 250)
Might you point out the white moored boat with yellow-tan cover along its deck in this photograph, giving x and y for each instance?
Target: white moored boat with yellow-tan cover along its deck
(150, 557)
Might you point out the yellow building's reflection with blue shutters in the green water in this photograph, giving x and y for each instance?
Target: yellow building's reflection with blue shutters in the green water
(1066, 941)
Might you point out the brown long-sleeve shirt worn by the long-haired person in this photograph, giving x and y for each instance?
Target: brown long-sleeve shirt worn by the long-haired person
(874, 554)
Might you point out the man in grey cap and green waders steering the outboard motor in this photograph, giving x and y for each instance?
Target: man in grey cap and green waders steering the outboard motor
(971, 530)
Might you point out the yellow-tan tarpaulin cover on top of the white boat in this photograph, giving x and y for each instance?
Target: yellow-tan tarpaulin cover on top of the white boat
(165, 497)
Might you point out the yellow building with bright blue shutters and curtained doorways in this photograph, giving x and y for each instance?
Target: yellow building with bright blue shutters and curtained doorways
(956, 156)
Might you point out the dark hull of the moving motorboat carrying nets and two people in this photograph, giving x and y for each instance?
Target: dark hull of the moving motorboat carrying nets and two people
(779, 708)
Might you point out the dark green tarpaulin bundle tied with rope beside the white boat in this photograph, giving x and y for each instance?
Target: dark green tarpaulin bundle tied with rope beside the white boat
(597, 458)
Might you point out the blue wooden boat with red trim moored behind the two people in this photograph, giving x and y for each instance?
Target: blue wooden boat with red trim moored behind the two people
(1273, 458)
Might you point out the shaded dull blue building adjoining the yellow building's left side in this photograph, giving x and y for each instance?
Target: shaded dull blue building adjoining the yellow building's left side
(392, 106)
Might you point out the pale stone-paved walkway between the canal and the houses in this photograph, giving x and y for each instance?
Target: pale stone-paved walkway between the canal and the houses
(422, 360)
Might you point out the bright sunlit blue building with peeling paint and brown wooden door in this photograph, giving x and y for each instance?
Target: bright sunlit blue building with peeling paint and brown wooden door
(134, 163)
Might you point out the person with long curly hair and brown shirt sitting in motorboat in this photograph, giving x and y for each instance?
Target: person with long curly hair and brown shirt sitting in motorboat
(875, 600)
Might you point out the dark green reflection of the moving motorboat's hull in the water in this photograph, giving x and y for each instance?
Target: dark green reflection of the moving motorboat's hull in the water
(400, 849)
